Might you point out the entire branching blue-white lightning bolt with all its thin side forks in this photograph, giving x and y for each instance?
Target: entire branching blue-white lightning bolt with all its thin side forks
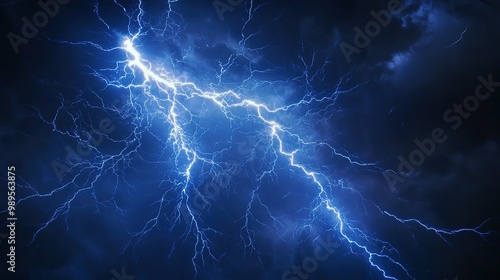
(157, 93)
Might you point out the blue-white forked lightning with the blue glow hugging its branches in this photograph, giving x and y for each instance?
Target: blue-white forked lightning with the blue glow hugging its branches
(173, 100)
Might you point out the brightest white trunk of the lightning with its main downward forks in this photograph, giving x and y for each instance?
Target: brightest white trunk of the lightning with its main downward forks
(355, 239)
